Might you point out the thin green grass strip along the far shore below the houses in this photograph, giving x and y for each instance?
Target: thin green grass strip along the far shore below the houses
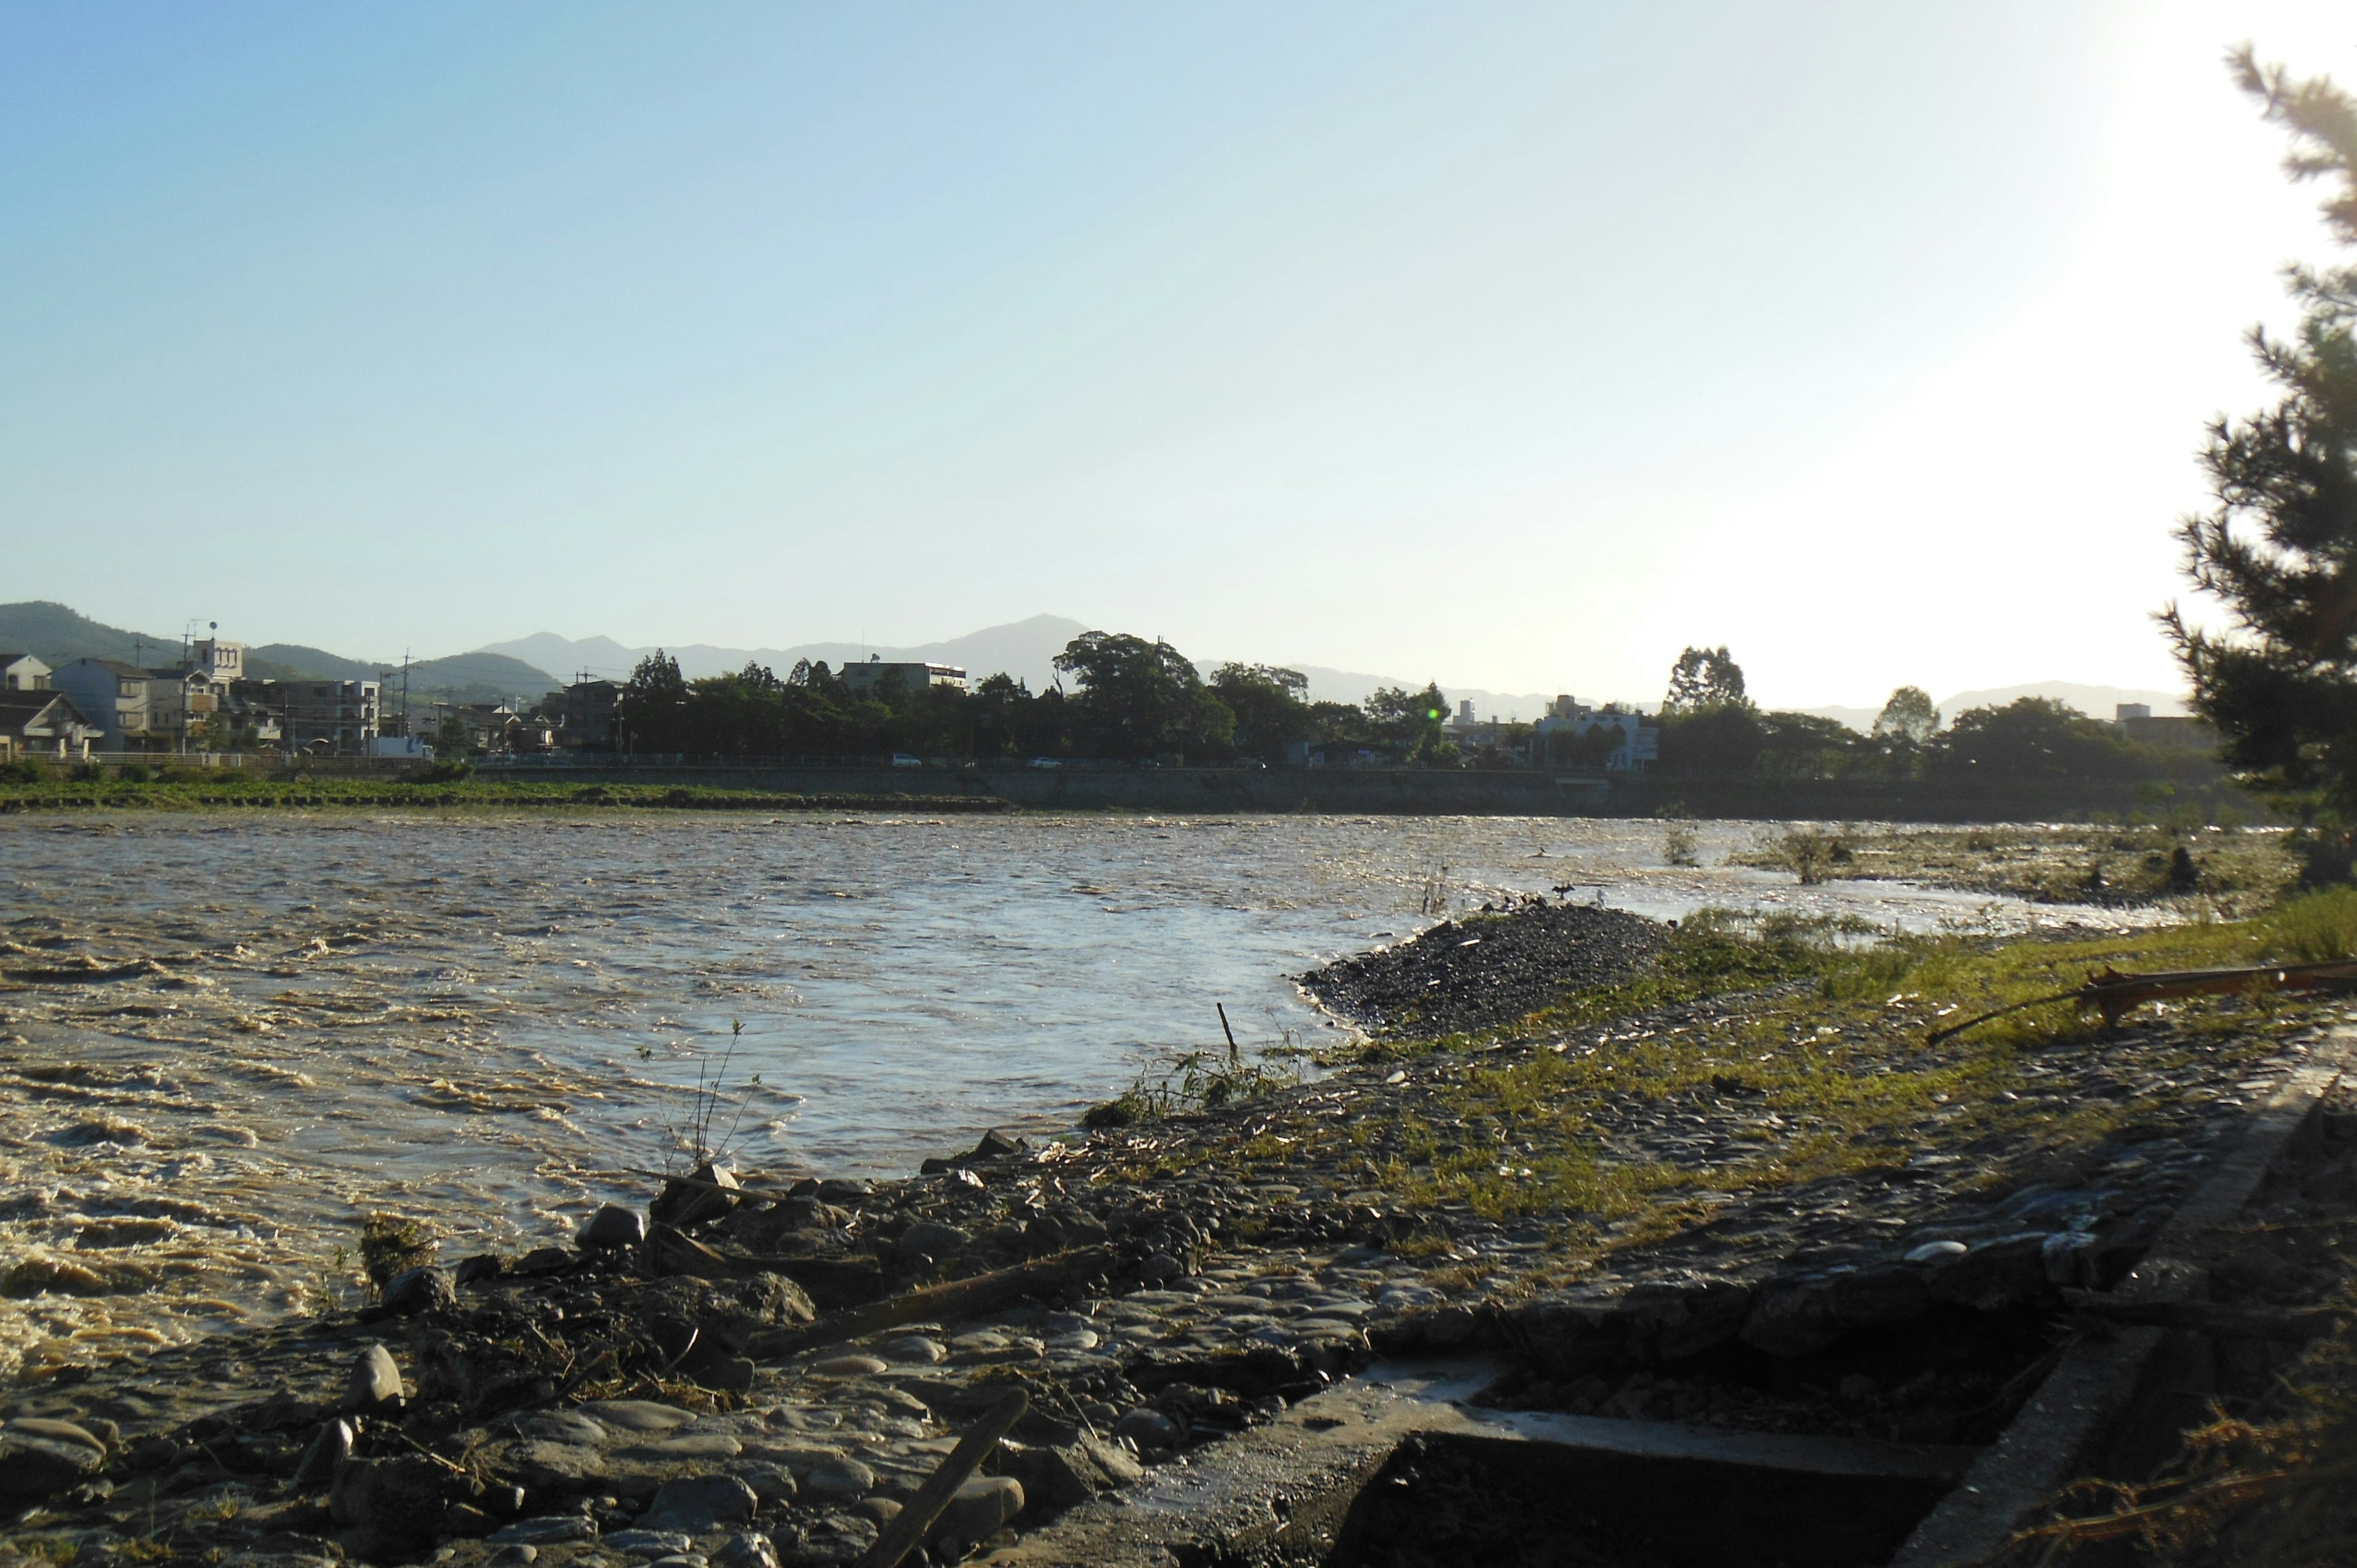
(268, 793)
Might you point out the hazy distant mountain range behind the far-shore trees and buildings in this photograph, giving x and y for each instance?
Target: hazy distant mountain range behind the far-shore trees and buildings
(539, 664)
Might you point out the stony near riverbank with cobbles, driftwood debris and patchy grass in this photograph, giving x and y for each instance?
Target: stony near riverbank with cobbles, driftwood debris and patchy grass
(1731, 1187)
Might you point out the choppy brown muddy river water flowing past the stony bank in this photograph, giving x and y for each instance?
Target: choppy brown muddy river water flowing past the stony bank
(225, 1039)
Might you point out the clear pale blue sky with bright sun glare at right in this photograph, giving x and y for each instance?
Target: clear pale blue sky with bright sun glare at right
(1514, 345)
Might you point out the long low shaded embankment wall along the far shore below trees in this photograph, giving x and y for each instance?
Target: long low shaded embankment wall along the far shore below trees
(1385, 791)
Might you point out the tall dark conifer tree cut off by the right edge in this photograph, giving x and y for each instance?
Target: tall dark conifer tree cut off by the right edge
(2280, 546)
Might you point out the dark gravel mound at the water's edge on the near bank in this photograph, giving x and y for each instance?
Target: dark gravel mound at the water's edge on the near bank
(1486, 970)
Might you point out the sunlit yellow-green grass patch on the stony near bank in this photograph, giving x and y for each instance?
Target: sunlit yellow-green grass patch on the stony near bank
(1804, 1043)
